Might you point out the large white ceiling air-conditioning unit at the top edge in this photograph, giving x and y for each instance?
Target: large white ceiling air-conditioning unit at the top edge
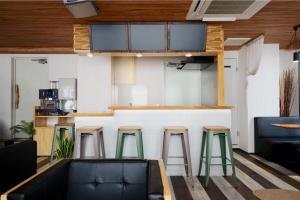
(224, 10)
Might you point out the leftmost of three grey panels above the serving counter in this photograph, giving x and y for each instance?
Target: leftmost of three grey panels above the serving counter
(109, 37)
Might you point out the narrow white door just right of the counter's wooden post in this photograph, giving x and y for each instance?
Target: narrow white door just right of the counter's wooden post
(230, 67)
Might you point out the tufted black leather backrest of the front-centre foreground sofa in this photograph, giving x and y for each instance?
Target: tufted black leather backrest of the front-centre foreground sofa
(108, 179)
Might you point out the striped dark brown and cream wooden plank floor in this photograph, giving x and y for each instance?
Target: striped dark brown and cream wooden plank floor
(252, 172)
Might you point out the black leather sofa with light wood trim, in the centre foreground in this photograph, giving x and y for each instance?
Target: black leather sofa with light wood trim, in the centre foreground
(95, 180)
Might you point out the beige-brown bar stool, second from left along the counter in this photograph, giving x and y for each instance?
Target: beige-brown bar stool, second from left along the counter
(80, 141)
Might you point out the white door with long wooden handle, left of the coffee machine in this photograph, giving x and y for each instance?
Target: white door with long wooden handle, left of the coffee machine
(30, 75)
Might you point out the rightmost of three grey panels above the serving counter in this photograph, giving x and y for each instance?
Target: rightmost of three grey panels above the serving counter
(187, 37)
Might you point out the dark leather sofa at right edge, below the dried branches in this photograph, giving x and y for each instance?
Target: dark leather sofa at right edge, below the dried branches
(280, 145)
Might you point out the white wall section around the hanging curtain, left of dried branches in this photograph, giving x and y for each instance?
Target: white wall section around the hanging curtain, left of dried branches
(258, 94)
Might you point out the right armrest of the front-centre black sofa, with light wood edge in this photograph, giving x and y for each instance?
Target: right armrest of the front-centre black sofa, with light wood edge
(158, 186)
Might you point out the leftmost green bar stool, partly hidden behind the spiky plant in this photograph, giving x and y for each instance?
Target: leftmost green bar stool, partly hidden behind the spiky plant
(61, 128)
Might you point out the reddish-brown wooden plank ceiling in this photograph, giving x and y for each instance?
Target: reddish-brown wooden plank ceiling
(46, 26)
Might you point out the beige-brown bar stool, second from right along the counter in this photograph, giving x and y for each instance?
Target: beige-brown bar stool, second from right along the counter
(183, 132)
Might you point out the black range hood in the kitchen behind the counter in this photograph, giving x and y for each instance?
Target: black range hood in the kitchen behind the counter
(193, 63)
